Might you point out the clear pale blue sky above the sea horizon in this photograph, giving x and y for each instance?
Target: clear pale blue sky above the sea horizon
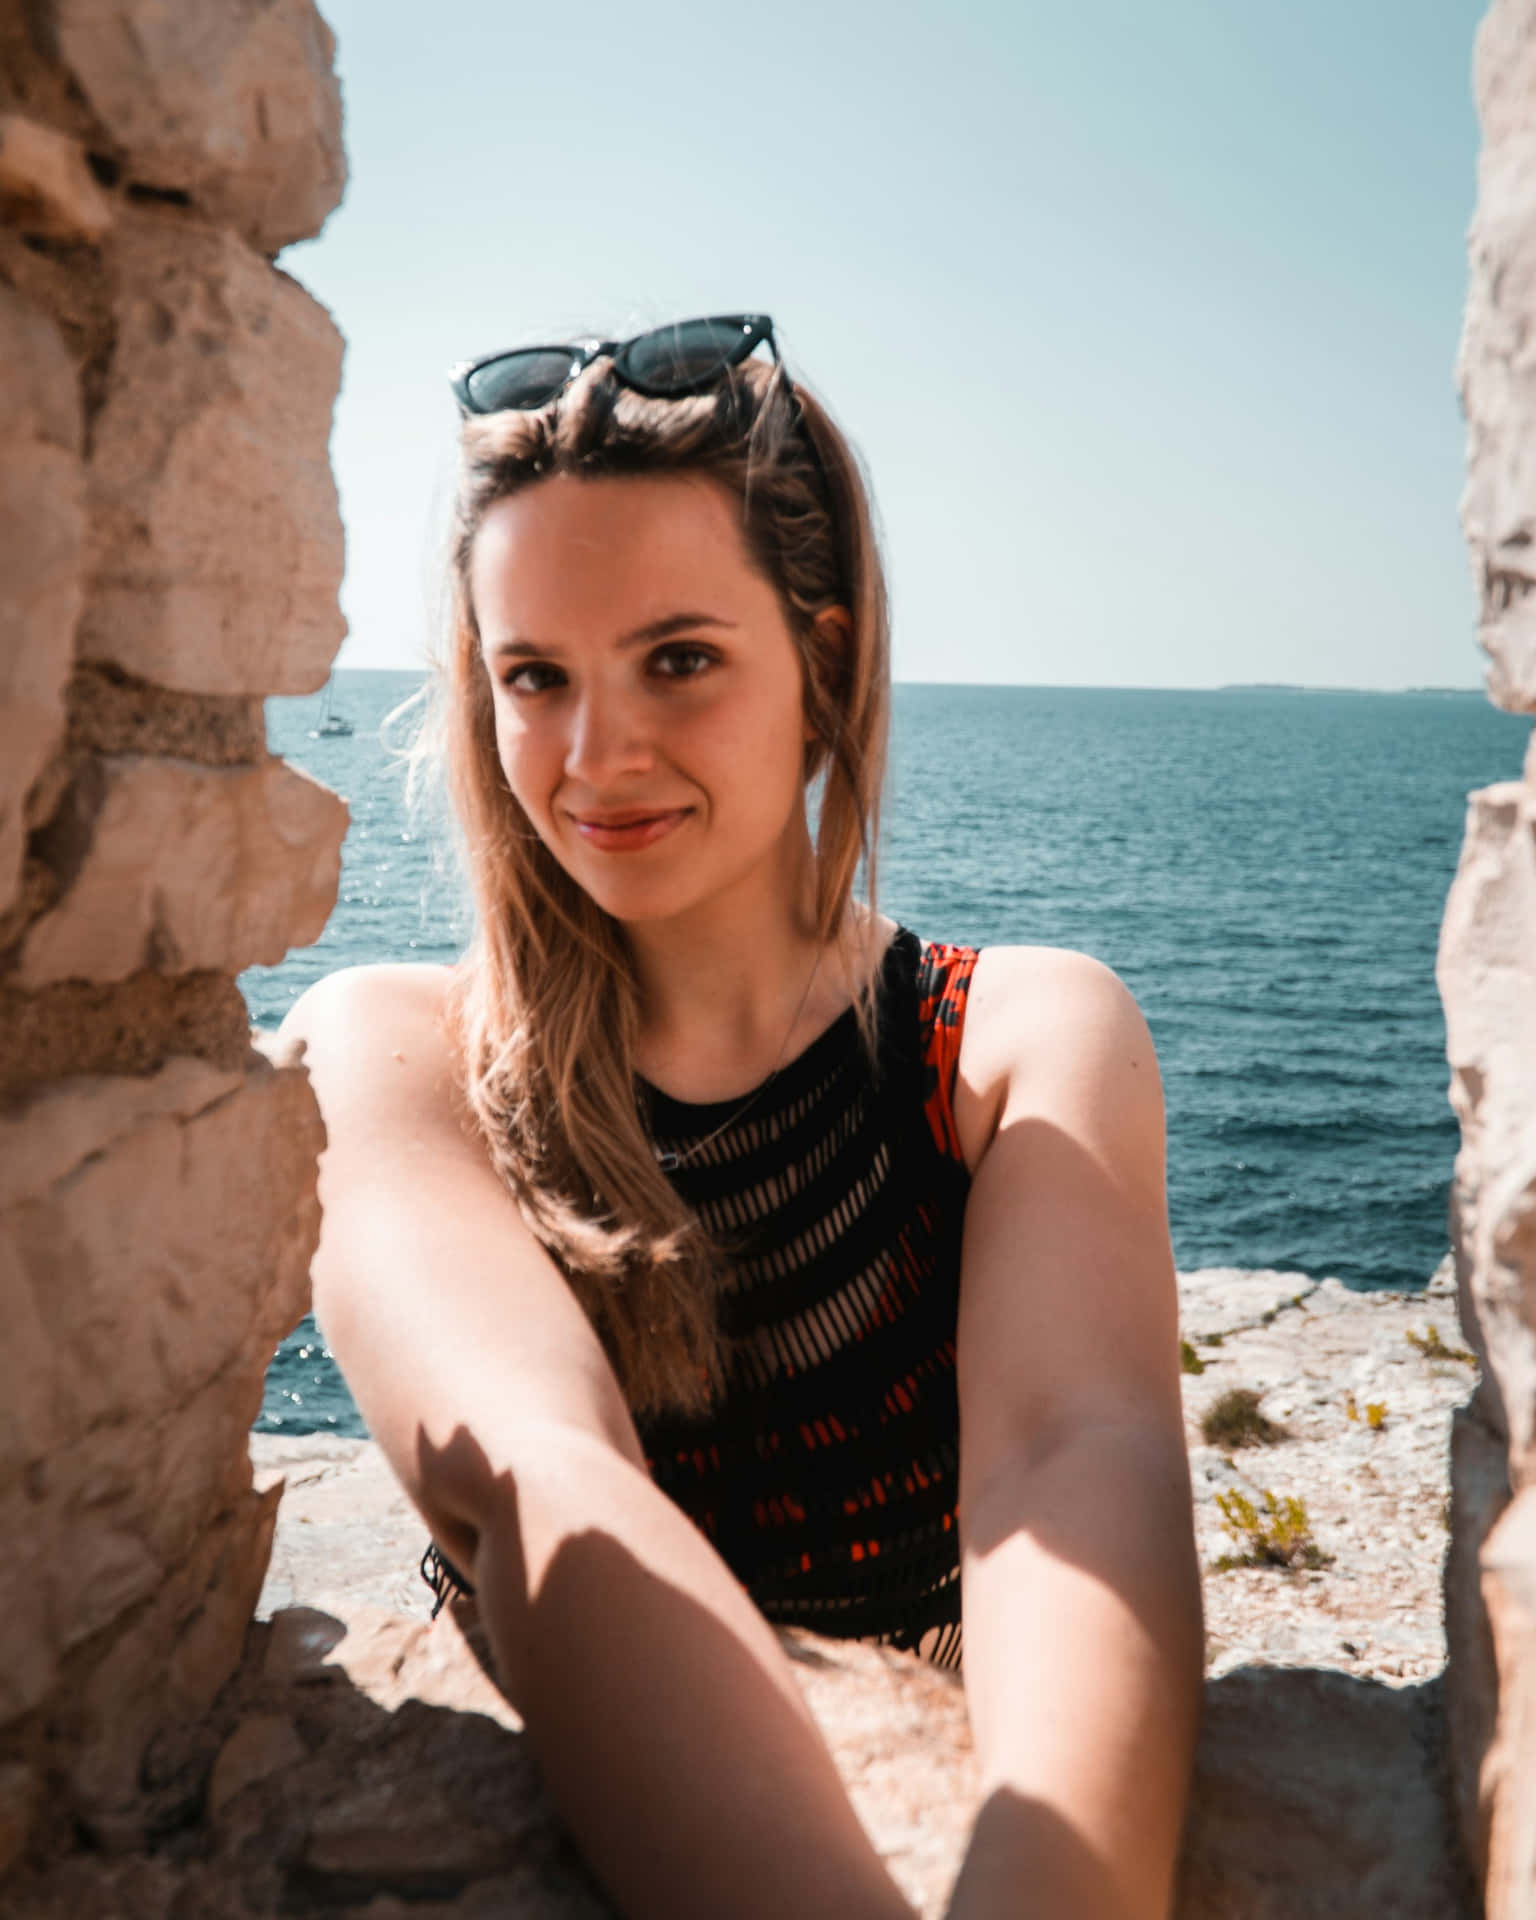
(1143, 316)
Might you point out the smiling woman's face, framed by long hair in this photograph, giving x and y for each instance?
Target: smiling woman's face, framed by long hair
(648, 692)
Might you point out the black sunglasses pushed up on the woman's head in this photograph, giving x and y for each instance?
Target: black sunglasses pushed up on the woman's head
(663, 364)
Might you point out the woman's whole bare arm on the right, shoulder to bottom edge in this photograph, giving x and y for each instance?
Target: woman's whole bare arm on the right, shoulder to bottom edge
(1082, 1591)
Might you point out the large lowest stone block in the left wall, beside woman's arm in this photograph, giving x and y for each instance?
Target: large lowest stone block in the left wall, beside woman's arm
(147, 1280)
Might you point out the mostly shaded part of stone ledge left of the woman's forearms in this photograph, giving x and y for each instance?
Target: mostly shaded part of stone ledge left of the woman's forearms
(360, 1765)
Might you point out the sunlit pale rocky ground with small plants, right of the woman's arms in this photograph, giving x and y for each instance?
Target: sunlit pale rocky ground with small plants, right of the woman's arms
(1376, 1497)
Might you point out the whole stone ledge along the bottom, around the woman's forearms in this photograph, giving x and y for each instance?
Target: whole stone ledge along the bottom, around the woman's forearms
(366, 1765)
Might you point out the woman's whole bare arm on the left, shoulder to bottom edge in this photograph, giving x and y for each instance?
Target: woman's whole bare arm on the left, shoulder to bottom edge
(661, 1706)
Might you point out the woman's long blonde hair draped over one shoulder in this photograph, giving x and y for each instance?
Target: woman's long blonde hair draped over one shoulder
(546, 1001)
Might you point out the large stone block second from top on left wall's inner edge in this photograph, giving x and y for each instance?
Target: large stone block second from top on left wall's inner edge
(216, 539)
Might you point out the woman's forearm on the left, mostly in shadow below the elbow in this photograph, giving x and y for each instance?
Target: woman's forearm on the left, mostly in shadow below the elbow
(661, 1704)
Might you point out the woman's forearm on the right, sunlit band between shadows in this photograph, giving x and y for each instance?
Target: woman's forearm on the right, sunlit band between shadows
(1084, 1662)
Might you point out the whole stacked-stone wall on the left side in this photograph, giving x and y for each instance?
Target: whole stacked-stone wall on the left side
(170, 552)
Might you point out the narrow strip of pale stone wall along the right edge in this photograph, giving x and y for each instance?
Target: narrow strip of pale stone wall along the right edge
(1489, 988)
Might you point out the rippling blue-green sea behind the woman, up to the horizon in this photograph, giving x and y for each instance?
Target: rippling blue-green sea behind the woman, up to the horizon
(1264, 867)
